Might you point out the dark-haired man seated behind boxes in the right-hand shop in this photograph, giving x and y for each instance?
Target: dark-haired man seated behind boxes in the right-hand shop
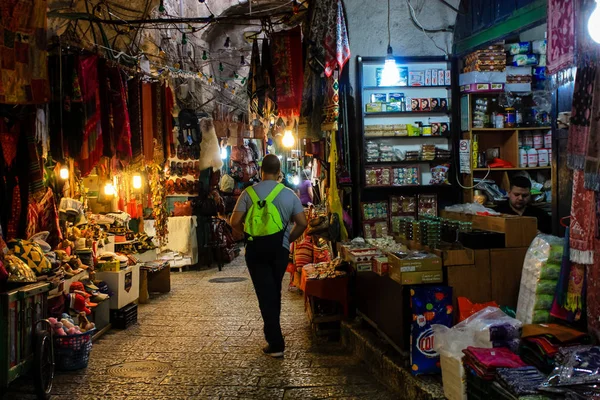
(519, 197)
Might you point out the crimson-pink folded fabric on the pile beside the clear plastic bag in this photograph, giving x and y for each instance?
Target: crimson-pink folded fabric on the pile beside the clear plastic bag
(485, 362)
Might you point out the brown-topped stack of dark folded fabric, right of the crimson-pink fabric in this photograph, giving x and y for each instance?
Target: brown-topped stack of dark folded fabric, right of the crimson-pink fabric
(540, 343)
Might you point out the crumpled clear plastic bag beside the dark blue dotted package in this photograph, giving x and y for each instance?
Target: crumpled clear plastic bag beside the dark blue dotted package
(482, 329)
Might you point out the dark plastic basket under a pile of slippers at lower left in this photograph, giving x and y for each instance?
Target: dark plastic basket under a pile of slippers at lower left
(72, 352)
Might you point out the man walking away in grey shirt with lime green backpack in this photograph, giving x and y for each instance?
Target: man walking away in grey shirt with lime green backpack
(265, 213)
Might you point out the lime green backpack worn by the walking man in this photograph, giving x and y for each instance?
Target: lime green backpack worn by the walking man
(263, 218)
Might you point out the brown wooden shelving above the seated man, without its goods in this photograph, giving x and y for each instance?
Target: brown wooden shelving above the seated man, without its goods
(506, 139)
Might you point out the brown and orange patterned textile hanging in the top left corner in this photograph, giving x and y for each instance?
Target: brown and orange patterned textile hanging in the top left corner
(23, 52)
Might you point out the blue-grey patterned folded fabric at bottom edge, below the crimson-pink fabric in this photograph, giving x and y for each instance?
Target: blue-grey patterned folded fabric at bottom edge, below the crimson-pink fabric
(512, 383)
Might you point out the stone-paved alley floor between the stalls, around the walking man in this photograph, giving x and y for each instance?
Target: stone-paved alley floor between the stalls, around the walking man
(209, 335)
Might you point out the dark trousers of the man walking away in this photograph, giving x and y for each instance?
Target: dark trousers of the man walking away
(267, 261)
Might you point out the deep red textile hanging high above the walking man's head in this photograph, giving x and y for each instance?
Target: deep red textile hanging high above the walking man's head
(287, 66)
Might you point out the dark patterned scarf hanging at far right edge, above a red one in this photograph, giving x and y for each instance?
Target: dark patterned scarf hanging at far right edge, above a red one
(579, 129)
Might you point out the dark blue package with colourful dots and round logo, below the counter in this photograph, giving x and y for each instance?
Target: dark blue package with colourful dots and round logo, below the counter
(429, 305)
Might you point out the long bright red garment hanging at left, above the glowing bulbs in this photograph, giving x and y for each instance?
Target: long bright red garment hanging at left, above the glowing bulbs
(93, 143)
